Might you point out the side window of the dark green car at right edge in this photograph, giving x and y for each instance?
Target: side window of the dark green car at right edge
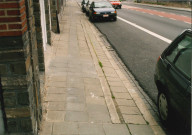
(180, 55)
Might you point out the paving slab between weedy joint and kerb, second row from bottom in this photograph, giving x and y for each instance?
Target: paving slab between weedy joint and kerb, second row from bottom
(134, 119)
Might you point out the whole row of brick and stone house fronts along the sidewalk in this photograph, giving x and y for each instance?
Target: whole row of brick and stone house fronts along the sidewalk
(25, 31)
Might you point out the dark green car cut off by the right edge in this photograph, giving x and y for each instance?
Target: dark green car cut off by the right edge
(173, 80)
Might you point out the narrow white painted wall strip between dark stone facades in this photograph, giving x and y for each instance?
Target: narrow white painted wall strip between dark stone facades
(43, 24)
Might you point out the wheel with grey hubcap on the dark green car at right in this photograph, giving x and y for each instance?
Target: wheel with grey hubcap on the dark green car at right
(163, 108)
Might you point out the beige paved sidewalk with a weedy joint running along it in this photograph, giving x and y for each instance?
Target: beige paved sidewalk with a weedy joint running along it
(87, 91)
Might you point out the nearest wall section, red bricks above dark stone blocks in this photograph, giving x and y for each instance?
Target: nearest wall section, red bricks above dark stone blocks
(19, 67)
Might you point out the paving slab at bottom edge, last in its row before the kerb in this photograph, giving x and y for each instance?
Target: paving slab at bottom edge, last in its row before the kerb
(140, 129)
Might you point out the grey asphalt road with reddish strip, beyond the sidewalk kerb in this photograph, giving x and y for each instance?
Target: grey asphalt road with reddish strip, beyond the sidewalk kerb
(138, 49)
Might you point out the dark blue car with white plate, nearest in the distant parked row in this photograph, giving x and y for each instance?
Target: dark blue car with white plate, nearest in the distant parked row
(102, 10)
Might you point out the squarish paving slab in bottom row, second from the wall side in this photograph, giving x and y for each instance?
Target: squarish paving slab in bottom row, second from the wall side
(63, 128)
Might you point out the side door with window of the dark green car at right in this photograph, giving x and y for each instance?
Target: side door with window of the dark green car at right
(178, 76)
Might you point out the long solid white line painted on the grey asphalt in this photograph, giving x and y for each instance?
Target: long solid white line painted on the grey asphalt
(147, 31)
